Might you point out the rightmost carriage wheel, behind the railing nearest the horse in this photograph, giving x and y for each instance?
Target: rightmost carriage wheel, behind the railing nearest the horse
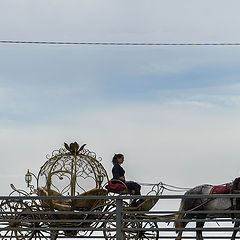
(148, 234)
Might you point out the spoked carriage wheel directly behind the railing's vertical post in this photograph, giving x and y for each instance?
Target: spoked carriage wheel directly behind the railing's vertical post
(128, 235)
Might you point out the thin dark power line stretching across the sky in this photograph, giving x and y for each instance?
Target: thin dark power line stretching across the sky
(117, 43)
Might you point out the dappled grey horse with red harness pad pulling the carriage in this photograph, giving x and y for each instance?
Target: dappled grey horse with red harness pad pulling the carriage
(207, 204)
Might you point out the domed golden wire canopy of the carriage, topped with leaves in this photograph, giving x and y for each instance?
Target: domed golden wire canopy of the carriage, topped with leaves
(69, 171)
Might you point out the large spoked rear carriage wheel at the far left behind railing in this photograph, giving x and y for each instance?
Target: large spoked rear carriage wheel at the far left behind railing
(16, 219)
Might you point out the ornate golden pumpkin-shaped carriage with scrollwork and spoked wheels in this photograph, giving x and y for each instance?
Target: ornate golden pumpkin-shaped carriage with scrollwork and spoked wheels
(68, 175)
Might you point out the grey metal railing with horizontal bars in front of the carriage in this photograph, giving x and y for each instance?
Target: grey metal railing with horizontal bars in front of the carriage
(110, 218)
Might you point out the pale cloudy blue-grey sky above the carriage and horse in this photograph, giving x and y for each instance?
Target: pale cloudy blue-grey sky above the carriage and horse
(172, 111)
